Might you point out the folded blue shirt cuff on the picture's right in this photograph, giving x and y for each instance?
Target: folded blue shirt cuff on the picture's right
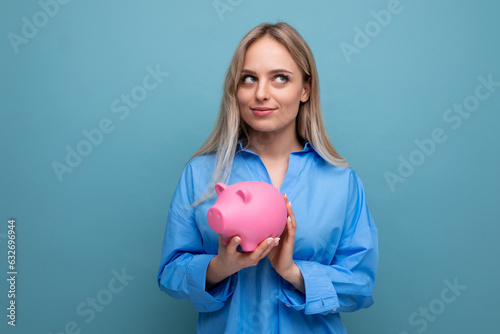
(320, 295)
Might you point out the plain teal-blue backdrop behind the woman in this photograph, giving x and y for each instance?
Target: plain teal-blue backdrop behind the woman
(439, 225)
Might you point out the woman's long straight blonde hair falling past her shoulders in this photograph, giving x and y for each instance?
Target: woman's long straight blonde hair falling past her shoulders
(229, 127)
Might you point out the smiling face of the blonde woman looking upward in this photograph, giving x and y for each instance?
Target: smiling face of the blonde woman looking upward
(271, 87)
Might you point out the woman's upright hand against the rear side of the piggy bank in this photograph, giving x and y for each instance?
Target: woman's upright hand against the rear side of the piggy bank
(281, 257)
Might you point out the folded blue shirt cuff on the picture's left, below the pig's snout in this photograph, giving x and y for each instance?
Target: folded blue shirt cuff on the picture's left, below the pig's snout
(202, 300)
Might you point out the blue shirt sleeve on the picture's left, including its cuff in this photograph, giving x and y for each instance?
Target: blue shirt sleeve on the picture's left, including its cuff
(184, 262)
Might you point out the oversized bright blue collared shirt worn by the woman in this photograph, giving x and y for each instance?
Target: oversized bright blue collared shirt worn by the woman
(336, 250)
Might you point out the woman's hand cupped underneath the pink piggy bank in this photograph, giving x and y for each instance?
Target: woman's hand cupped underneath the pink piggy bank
(229, 260)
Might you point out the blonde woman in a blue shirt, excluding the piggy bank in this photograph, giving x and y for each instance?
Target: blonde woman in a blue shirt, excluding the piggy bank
(270, 129)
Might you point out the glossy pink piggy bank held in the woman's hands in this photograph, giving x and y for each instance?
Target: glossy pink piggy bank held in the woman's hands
(253, 210)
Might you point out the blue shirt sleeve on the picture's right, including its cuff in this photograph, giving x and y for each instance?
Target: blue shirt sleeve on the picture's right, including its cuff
(346, 284)
